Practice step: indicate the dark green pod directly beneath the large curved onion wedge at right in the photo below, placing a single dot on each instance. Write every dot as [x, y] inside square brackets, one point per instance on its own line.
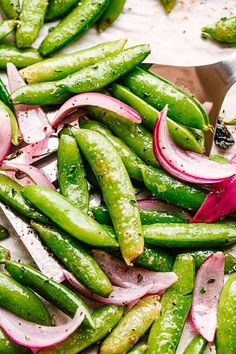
[167, 188]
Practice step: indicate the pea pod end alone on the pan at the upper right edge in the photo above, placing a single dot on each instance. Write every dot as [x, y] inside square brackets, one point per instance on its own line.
[223, 31]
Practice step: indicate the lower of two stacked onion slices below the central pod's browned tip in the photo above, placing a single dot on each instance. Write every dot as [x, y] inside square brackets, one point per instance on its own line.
[119, 296]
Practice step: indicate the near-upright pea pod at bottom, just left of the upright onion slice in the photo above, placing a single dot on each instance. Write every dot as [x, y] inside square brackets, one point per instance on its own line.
[166, 331]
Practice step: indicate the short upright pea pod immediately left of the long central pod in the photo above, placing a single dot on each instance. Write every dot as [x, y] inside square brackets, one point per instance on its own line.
[71, 173]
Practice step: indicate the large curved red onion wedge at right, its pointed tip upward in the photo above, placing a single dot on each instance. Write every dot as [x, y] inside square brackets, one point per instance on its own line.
[186, 165]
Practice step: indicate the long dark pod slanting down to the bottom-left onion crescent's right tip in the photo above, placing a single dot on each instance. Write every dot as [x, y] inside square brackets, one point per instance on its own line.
[56, 293]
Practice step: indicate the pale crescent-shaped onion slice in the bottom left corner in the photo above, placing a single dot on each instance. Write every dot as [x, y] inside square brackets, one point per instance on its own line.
[32, 335]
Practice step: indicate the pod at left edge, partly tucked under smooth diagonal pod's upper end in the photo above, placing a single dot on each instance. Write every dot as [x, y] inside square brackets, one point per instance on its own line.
[10, 194]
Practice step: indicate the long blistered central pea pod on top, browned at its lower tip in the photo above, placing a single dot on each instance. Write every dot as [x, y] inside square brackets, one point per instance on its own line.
[116, 188]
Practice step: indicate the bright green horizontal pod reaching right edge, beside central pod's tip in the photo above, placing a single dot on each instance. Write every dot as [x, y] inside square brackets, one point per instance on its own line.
[189, 235]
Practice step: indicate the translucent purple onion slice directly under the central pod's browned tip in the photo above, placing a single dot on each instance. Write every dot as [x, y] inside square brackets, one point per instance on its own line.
[132, 277]
